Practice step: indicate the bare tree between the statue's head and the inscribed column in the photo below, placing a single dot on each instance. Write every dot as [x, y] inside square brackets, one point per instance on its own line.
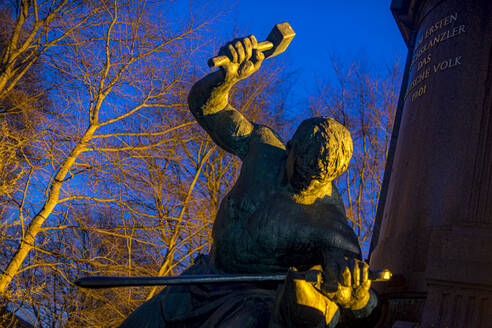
[365, 102]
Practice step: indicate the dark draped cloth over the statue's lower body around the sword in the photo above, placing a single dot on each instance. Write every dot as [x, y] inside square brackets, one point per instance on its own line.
[203, 306]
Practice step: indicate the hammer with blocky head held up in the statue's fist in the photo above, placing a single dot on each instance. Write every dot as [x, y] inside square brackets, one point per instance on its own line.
[277, 41]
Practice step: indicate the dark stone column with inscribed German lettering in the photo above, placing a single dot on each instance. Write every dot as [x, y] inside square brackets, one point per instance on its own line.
[436, 228]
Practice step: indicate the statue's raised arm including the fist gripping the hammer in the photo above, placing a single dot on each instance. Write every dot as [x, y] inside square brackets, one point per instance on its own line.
[209, 98]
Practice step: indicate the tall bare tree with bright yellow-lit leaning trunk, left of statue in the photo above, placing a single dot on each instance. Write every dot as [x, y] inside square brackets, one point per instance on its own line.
[109, 65]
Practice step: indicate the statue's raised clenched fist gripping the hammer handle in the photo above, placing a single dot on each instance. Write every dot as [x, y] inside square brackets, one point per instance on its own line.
[244, 58]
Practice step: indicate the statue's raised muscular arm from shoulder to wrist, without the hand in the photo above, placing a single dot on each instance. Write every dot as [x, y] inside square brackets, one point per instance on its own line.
[208, 101]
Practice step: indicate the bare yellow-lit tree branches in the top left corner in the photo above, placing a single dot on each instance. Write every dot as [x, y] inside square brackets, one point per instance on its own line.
[31, 29]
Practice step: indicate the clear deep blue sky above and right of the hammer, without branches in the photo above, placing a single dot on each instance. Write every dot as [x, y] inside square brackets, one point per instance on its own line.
[347, 30]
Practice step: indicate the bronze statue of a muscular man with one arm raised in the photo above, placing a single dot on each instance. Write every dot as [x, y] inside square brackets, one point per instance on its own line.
[282, 215]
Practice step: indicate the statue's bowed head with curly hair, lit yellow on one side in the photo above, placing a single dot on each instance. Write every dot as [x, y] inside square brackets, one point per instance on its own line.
[319, 151]
